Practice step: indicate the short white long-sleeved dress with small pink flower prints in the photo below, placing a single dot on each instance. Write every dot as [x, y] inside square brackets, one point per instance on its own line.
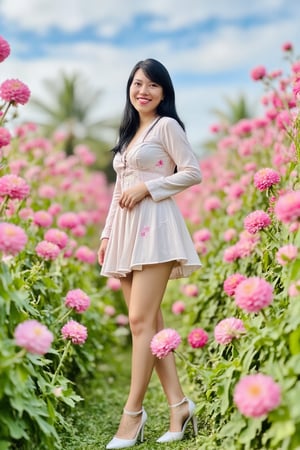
[154, 231]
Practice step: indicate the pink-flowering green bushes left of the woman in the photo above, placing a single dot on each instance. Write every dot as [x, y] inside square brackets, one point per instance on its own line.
[54, 328]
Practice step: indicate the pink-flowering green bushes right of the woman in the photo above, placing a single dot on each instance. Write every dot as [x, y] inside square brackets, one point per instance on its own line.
[248, 288]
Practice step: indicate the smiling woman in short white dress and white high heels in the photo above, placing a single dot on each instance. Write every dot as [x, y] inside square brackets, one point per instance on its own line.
[145, 241]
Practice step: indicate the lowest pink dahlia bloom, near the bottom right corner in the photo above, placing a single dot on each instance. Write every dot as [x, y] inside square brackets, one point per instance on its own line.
[256, 395]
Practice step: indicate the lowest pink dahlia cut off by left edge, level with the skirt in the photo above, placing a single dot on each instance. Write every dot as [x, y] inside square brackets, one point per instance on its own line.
[12, 238]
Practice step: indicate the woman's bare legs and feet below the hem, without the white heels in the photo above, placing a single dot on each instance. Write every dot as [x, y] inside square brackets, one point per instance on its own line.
[143, 327]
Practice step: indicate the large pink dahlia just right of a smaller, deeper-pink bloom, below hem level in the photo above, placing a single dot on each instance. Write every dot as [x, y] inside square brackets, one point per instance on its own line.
[253, 294]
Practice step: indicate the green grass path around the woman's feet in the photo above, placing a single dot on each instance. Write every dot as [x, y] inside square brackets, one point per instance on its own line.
[94, 421]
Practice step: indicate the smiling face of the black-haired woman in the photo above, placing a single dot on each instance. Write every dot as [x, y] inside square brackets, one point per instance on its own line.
[145, 95]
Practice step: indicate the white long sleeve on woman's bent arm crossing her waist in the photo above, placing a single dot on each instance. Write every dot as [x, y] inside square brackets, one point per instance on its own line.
[175, 143]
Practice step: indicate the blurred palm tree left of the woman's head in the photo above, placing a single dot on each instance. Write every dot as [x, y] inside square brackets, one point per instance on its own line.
[72, 110]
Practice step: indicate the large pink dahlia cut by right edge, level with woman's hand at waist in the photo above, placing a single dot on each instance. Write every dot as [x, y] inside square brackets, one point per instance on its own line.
[287, 207]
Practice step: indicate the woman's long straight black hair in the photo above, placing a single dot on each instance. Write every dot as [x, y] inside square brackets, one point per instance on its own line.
[156, 72]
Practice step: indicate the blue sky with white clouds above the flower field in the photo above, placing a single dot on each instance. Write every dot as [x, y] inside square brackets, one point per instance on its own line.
[208, 47]
